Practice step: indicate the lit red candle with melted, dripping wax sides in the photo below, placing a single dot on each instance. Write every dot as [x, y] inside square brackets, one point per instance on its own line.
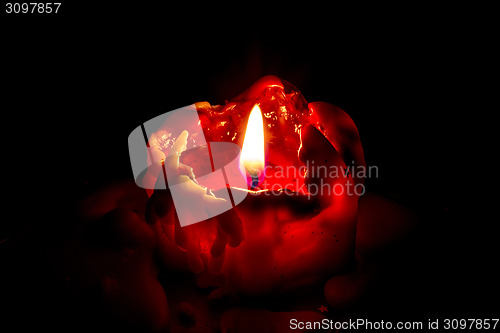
[298, 224]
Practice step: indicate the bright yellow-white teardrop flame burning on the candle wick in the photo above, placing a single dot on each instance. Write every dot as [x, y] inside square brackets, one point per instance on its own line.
[252, 159]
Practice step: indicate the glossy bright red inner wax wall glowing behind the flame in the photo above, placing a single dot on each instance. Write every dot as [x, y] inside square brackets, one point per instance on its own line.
[284, 112]
